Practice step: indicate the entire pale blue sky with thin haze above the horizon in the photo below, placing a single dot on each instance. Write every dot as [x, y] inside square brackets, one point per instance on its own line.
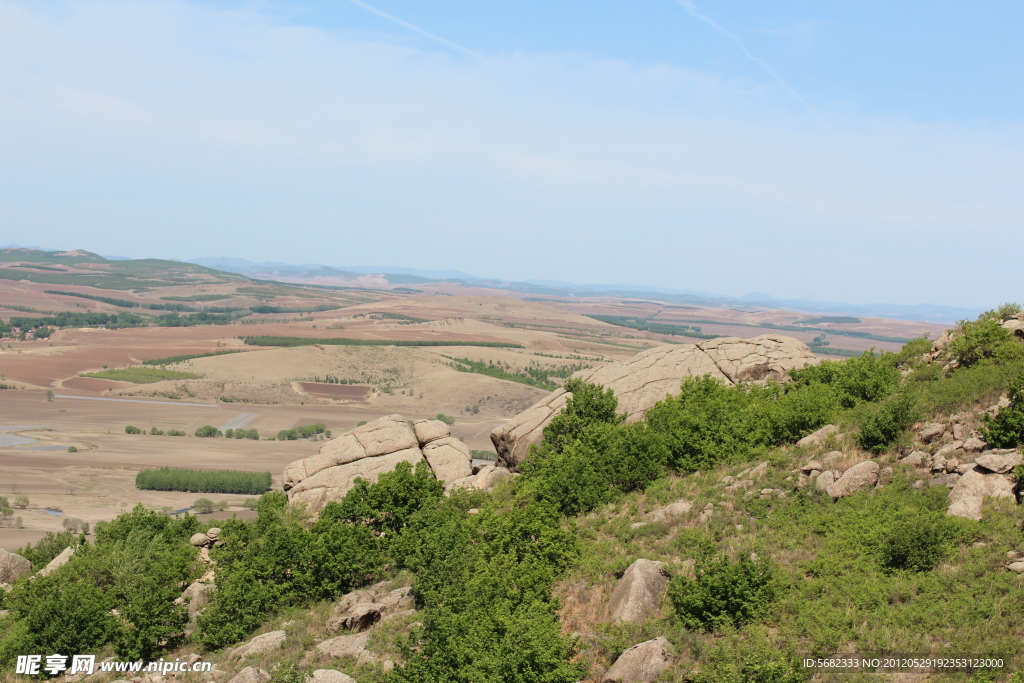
[860, 152]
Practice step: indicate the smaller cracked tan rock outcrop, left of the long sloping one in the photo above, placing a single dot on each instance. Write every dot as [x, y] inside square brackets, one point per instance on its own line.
[371, 450]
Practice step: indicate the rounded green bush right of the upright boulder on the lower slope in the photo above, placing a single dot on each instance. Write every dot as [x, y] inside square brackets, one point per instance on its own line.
[724, 593]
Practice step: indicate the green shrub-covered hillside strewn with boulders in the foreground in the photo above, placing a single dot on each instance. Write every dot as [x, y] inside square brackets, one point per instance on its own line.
[763, 547]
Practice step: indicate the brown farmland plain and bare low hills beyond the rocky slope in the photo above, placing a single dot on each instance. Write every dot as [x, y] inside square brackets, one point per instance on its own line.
[284, 388]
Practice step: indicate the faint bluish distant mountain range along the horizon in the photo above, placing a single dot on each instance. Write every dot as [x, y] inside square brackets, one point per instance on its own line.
[924, 313]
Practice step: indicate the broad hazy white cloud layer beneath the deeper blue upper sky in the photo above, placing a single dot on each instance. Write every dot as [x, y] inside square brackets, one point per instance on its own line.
[166, 130]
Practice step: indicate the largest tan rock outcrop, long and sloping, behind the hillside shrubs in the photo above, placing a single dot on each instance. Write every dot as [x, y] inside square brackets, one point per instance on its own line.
[652, 375]
